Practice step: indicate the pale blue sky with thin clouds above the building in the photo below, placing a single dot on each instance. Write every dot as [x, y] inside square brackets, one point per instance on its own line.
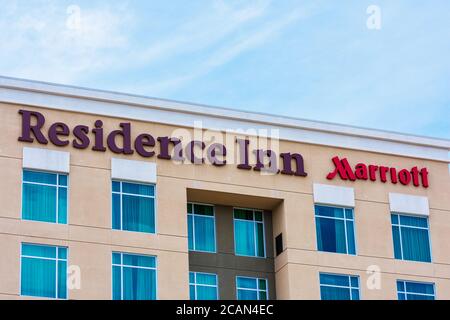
[377, 64]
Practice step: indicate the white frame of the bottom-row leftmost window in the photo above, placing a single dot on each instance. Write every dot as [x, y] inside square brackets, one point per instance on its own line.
[44, 258]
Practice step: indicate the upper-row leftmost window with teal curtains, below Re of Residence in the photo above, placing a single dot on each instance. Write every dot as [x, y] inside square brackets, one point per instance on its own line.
[44, 197]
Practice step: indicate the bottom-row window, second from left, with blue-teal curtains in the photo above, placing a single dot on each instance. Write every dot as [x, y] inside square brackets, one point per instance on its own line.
[134, 277]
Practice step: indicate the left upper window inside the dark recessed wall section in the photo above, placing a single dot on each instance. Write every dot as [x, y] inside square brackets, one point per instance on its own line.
[201, 227]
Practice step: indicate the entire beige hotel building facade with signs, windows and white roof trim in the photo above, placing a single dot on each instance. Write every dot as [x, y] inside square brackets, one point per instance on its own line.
[113, 196]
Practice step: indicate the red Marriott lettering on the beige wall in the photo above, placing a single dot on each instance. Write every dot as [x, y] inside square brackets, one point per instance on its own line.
[362, 171]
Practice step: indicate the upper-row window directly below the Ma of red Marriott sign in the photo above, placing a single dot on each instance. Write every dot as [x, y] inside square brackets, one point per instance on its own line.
[335, 230]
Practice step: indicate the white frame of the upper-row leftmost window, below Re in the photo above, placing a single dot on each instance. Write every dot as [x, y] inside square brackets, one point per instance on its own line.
[57, 186]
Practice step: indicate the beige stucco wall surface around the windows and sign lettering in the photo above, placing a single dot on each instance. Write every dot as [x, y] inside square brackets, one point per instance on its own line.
[91, 240]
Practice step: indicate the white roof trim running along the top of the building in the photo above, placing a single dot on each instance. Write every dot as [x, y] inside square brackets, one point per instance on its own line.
[135, 107]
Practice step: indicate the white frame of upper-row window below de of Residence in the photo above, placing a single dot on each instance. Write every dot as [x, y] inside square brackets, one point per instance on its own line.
[120, 193]
